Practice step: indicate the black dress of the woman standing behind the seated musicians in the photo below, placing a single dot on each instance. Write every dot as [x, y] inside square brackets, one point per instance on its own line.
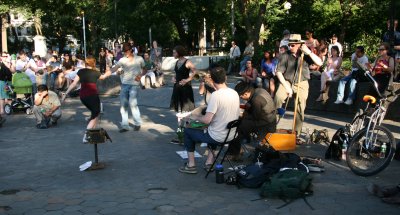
[182, 96]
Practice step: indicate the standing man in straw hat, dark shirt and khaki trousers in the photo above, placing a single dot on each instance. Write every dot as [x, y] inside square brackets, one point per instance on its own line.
[286, 72]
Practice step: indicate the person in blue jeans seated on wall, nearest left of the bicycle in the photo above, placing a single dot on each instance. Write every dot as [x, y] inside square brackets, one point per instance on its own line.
[357, 58]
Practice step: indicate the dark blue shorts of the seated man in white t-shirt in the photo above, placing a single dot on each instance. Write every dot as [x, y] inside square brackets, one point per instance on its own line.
[192, 136]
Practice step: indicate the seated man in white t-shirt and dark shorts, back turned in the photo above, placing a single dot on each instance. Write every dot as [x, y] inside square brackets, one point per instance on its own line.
[222, 108]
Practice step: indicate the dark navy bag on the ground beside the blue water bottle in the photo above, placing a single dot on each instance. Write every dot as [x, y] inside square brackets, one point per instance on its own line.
[253, 176]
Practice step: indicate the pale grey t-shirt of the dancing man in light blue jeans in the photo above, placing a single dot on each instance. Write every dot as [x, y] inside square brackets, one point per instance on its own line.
[131, 69]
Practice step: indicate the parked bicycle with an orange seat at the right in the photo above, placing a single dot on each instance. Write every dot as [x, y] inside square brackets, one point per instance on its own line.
[372, 145]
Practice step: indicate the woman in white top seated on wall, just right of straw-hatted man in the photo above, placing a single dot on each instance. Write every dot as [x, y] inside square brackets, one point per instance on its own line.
[331, 72]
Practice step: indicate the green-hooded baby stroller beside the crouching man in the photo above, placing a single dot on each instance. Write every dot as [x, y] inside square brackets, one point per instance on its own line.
[21, 93]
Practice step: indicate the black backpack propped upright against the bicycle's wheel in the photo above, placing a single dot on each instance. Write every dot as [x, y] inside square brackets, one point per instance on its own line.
[334, 150]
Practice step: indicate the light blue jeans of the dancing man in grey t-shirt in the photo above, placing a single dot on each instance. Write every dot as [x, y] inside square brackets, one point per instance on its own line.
[128, 100]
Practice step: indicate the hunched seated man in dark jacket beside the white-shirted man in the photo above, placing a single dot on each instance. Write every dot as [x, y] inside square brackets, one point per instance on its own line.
[259, 115]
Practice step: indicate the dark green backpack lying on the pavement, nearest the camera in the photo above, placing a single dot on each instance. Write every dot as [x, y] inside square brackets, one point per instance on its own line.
[289, 185]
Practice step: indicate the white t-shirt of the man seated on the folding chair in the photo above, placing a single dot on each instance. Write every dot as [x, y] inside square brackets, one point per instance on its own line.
[224, 104]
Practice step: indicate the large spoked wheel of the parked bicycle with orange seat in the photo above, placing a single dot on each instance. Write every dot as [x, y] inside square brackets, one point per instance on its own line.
[364, 155]
